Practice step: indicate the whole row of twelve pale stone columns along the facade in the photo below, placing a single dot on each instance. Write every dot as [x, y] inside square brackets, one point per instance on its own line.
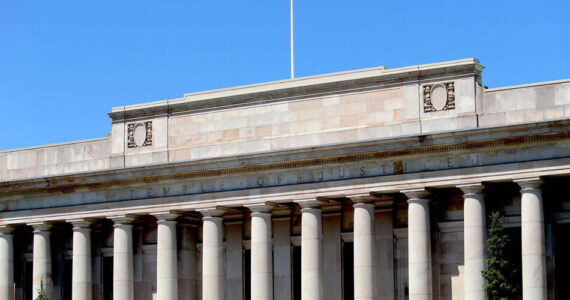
[213, 279]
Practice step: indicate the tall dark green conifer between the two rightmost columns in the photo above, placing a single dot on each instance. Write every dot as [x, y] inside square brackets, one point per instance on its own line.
[500, 272]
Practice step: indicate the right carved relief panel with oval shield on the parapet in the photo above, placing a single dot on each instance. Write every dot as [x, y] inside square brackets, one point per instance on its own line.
[439, 96]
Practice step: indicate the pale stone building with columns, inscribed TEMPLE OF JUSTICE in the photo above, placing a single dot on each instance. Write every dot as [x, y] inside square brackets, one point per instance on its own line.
[367, 184]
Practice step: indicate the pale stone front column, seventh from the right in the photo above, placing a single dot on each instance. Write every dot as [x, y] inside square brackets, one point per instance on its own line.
[213, 255]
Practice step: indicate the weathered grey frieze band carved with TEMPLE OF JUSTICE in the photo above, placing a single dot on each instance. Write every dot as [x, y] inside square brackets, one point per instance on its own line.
[354, 166]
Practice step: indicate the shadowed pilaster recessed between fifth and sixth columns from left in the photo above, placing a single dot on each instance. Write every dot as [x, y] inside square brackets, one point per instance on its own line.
[187, 260]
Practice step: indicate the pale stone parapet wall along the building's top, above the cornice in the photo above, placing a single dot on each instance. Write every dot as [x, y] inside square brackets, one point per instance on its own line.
[348, 107]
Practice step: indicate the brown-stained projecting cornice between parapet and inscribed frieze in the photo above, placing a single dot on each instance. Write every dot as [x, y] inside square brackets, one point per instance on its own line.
[176, 172]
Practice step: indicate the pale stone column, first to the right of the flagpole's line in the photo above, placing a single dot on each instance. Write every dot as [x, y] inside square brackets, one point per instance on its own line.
[311, 251]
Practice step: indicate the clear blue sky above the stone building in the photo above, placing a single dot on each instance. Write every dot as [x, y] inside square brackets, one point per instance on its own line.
[65, 64]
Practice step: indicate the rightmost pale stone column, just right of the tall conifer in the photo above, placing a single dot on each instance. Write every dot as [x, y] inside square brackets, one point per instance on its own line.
[533, 240]
